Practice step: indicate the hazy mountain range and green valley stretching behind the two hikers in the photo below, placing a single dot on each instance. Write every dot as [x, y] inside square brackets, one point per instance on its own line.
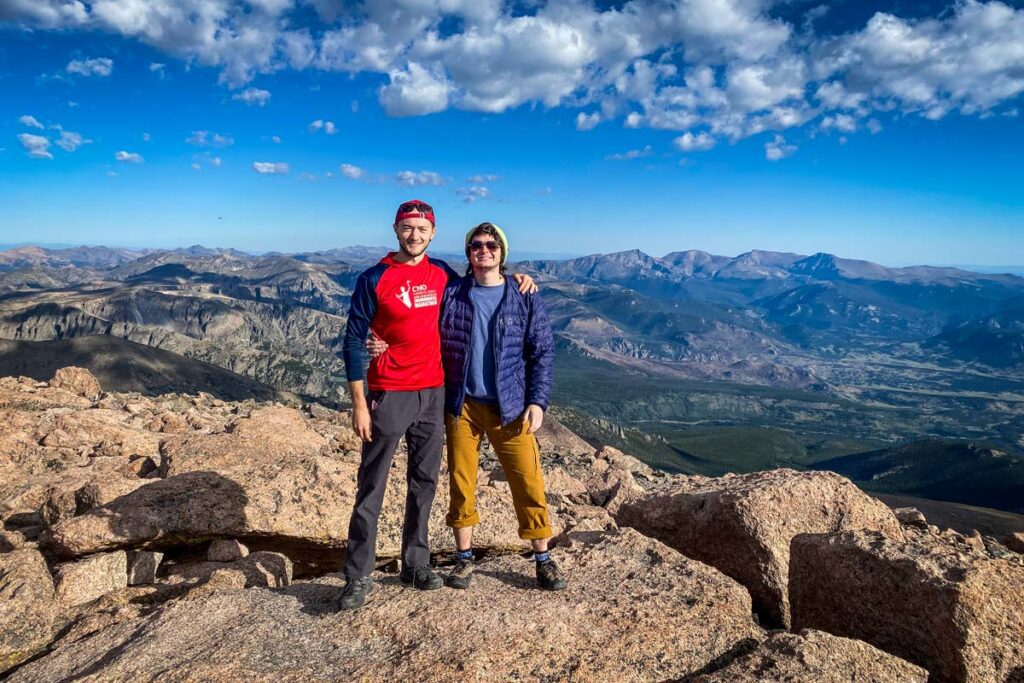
[700, 363]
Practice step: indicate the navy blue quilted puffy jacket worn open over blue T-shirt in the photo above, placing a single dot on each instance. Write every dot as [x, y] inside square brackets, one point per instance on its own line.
[525, 349]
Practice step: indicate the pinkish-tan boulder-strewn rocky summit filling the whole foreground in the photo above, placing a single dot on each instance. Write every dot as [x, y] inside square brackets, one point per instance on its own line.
[186, 538]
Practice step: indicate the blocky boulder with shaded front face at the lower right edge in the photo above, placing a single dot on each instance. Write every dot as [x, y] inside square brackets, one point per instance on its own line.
[945, 607]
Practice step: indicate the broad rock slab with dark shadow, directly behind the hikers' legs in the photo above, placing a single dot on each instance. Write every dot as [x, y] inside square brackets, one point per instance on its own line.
[237, 486]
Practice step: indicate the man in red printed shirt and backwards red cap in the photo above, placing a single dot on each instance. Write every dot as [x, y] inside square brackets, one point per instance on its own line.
[400, 301]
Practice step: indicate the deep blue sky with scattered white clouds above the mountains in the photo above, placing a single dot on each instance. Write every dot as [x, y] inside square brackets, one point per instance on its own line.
[888, 132]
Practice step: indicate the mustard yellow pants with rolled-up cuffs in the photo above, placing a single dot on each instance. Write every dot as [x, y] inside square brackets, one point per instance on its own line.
[520, 456]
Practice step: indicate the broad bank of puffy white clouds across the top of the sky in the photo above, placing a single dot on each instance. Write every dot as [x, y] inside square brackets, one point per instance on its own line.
[729, 67]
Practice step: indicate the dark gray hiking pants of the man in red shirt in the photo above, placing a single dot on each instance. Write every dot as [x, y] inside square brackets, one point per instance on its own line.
[420, 417]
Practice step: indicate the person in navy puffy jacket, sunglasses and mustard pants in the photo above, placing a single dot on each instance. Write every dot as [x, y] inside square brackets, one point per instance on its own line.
[498, 354]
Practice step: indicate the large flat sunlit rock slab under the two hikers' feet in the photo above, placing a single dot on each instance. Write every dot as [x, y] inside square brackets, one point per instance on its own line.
[635, 611]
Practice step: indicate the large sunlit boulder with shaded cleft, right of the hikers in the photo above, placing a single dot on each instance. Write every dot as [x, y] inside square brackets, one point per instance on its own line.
[744, 525]
